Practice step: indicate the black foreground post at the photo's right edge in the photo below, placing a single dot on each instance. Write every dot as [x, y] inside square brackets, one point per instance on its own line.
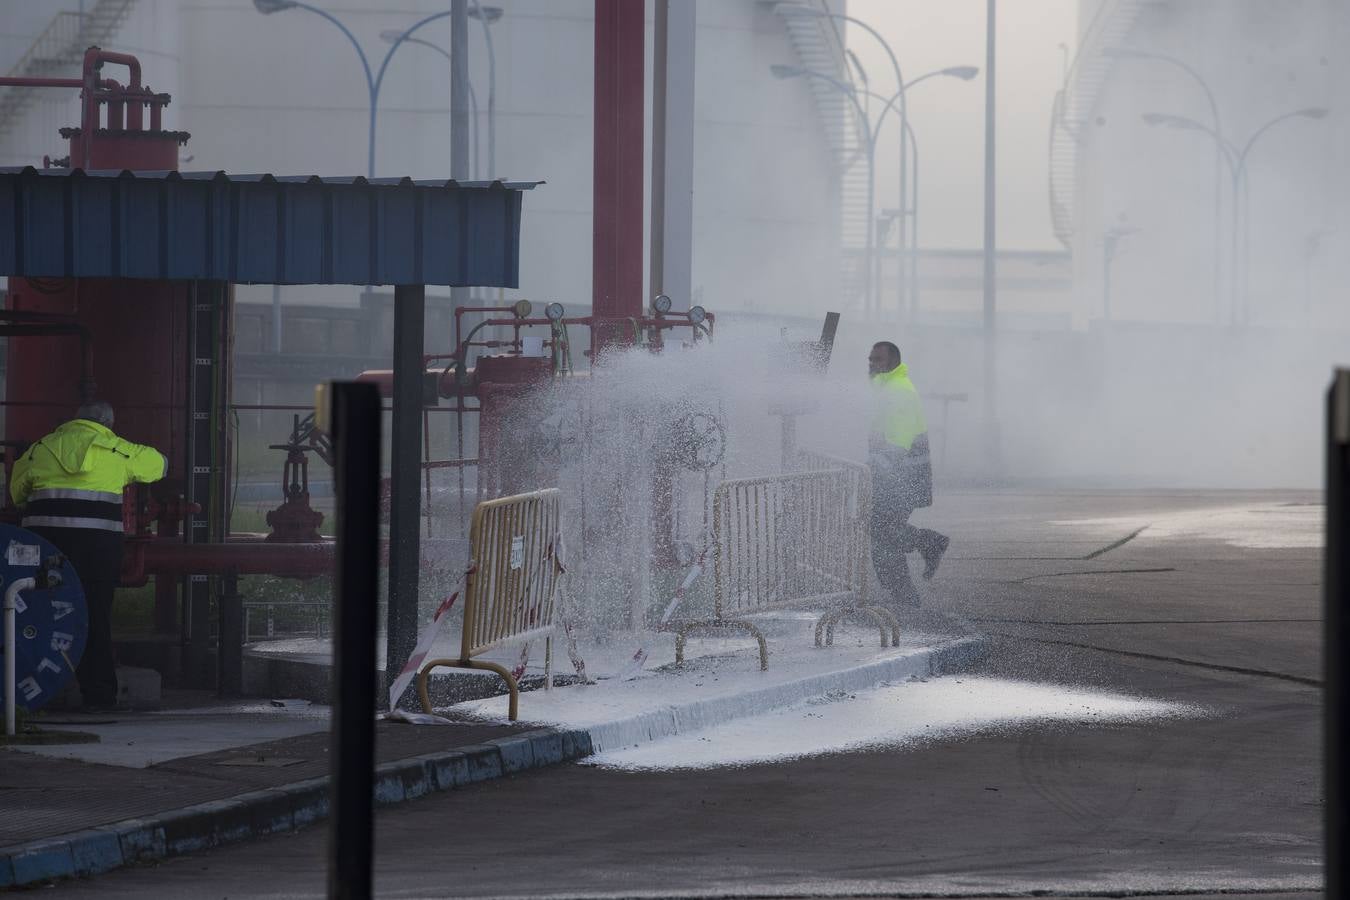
[1336, 632]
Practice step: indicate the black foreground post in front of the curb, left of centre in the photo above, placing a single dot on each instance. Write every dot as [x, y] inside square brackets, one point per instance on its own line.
[354, 427]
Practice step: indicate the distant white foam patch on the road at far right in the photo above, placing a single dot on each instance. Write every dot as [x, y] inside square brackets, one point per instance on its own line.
[1249, 527]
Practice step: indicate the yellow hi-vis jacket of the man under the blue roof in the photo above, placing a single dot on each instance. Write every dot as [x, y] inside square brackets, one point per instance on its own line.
[75, 477]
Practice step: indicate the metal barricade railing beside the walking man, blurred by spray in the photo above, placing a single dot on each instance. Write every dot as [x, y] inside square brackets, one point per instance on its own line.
[792, 540]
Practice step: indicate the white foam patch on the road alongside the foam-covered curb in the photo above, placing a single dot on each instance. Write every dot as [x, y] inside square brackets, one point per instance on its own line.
[888, 717]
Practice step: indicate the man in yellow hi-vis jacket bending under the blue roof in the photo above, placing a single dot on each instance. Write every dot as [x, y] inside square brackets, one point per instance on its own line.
[71, 486]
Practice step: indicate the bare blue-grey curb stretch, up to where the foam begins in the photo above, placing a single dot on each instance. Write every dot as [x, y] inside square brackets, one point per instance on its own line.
[275, 810]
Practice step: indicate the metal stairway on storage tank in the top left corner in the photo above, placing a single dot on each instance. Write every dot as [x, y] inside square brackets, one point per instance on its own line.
[59, 53]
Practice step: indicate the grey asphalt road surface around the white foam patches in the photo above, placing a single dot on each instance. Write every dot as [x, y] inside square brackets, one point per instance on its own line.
[1229, 802]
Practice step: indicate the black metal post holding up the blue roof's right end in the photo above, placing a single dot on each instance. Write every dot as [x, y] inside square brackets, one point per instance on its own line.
[406, 477]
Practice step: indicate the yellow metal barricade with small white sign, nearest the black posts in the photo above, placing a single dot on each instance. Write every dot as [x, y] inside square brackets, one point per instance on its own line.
[511, 589]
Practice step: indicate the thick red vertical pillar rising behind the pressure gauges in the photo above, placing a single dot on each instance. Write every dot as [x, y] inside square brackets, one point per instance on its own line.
[618, 231]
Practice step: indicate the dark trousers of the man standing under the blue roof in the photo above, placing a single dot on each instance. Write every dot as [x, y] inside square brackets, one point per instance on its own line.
[97, 557]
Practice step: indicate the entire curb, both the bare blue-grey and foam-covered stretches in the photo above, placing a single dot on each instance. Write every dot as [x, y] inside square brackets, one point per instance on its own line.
[296, 806]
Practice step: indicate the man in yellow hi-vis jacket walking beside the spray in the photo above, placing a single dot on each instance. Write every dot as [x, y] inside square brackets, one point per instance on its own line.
[902, 477]
